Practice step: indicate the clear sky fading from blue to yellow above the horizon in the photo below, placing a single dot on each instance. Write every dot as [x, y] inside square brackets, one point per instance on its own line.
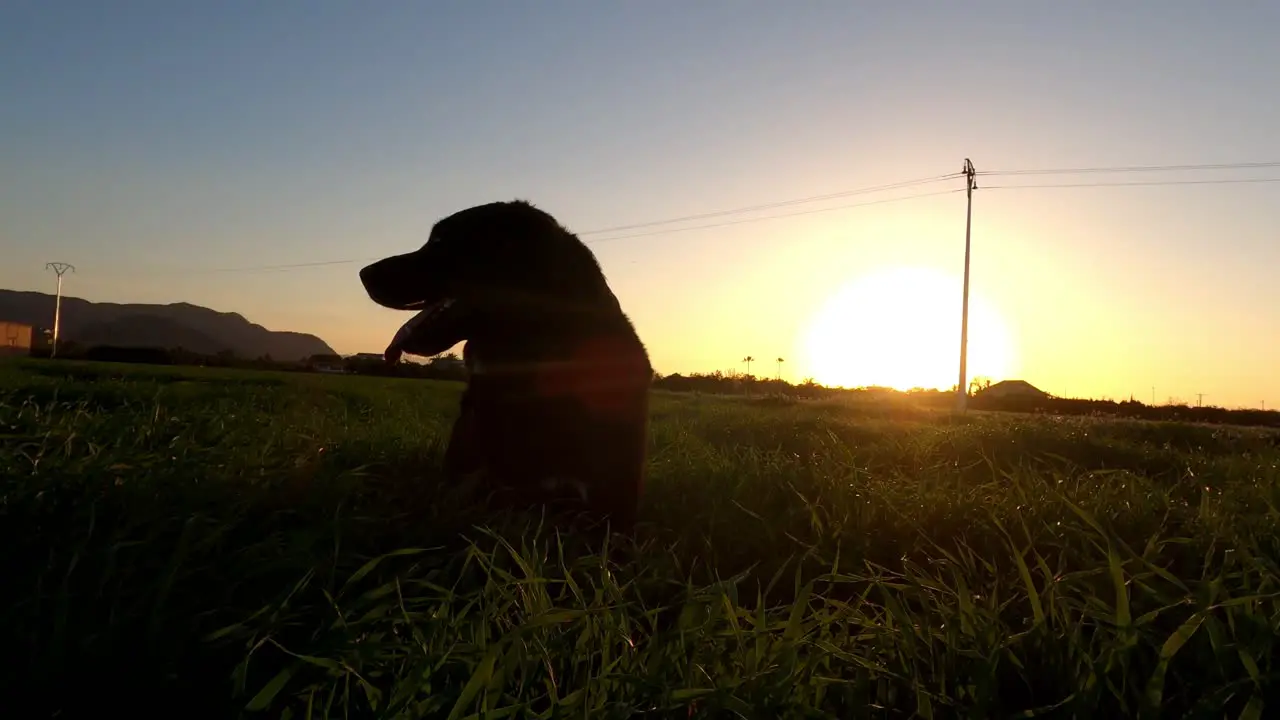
[152, 143]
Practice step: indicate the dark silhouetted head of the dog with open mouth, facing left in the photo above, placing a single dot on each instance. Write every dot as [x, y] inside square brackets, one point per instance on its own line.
[490, 261]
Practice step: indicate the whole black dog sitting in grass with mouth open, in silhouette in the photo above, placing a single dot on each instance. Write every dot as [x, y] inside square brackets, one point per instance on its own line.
[556, 405]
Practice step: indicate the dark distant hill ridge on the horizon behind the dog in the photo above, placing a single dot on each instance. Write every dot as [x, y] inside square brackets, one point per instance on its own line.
[181, 325]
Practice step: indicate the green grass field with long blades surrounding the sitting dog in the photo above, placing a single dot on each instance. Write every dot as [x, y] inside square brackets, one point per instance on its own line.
[216, 541]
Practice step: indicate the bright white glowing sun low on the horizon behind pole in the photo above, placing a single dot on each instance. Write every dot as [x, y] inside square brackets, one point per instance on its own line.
[900, 329]
